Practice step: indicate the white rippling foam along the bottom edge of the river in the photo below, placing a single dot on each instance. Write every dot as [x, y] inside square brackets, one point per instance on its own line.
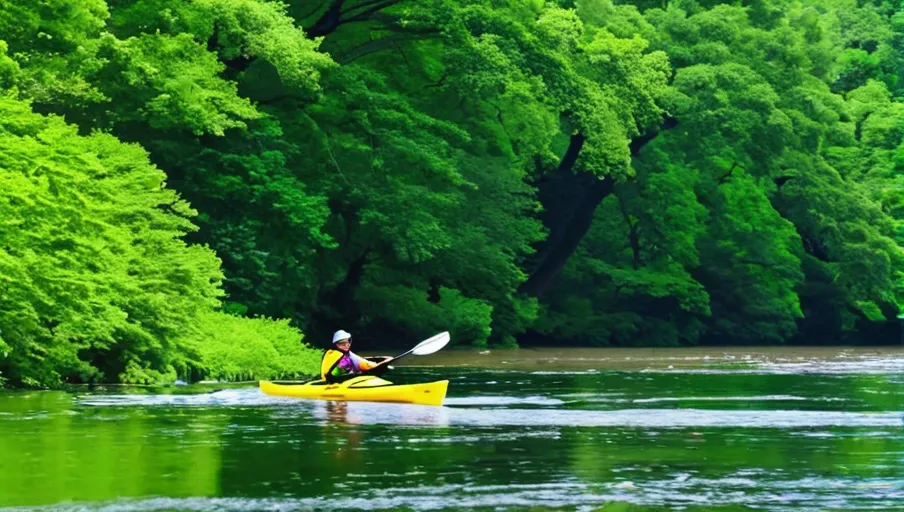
[676, 490]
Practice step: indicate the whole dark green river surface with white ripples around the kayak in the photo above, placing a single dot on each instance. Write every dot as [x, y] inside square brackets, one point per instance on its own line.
[589, 429]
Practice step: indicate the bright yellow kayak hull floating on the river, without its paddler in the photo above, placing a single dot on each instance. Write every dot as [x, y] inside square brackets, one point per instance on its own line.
[366, 388]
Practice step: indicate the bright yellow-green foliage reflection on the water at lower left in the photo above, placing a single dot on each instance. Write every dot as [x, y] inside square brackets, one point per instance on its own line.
[103, 453]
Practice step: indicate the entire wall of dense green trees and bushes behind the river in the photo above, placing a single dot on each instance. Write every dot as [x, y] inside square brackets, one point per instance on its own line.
[595, 172]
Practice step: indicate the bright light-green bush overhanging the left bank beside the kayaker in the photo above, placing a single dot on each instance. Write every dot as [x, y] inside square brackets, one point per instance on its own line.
[97, 283]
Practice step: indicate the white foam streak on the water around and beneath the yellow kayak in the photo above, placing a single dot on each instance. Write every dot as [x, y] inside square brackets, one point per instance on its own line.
[497, 411]
